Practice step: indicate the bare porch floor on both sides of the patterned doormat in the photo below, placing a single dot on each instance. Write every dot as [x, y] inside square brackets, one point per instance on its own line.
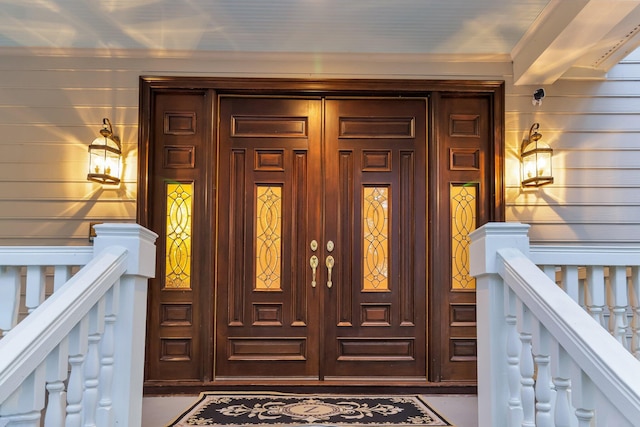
[460, 410]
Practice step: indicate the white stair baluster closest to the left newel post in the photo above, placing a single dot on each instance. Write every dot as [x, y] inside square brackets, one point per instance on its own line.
[104, 415]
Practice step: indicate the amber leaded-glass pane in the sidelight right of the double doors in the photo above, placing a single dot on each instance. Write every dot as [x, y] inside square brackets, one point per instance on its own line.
[463, 221]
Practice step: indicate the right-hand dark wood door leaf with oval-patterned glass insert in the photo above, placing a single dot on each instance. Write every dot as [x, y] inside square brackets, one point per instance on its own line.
[376, 211]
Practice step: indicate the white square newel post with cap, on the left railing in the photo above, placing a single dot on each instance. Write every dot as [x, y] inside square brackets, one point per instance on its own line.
[130, 323]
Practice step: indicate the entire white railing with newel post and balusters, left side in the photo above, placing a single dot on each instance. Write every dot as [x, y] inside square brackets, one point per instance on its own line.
[81, 350]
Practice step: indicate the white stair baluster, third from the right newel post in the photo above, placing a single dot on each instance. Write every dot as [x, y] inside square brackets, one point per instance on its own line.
[541, 345]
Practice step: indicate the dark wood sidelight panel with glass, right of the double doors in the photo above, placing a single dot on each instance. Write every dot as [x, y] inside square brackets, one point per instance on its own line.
[464, 180]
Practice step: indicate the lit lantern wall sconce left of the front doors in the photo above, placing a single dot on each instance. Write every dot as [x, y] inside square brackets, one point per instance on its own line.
[105, 153]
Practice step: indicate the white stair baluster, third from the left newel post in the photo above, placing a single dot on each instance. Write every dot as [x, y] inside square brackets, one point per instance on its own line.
[78, 342]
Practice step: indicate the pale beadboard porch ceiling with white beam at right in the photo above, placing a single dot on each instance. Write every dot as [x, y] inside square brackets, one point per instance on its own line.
[544, 39]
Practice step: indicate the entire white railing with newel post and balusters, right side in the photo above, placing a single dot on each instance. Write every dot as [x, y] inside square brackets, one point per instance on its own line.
[543, 360]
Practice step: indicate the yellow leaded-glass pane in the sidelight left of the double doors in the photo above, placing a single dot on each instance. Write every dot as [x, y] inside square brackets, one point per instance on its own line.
[178, 244]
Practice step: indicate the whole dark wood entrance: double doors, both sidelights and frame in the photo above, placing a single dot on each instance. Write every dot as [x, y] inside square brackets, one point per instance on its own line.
[315, 231]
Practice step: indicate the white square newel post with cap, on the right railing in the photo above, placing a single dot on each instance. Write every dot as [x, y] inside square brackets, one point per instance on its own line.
[493, 387]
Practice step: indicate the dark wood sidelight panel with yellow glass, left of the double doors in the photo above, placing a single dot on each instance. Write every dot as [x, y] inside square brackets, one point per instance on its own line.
[175, 349]
